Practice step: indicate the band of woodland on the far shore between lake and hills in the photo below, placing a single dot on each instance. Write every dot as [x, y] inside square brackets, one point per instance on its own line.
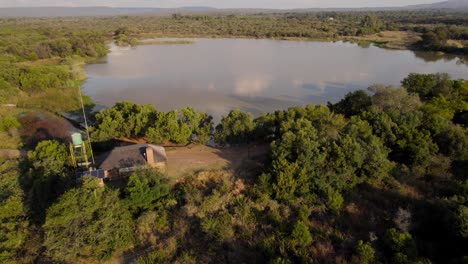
[40, 38]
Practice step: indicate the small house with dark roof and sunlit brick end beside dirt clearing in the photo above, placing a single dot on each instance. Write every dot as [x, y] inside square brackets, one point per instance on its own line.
[124, 160]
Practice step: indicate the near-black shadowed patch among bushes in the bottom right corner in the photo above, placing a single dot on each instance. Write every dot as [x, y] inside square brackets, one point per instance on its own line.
[370, 211]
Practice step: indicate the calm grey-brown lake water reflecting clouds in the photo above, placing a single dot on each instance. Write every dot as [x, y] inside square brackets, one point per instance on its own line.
[217, 75]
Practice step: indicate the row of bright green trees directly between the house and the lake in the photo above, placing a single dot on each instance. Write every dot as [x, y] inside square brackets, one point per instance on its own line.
[129, 120]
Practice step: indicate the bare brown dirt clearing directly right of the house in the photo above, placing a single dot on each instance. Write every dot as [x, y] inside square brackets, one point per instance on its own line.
[185, 160]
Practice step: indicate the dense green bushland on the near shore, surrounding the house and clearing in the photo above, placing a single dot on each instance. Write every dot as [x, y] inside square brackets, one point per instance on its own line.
[379, 177]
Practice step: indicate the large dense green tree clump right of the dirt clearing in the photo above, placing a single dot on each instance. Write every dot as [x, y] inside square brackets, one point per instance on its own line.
[303, 162]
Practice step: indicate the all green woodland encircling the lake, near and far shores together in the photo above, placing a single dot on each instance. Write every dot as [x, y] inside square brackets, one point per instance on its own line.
[378, 177]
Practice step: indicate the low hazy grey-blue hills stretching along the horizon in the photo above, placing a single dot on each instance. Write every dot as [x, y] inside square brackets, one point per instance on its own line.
[110, 11]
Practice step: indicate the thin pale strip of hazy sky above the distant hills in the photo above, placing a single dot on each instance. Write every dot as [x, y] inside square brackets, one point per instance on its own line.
[217, 3]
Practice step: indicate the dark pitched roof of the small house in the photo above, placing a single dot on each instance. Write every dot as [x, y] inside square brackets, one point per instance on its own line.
[130, 156]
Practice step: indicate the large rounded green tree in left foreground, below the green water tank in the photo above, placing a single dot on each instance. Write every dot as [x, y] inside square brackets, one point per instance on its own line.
[89, 221]
